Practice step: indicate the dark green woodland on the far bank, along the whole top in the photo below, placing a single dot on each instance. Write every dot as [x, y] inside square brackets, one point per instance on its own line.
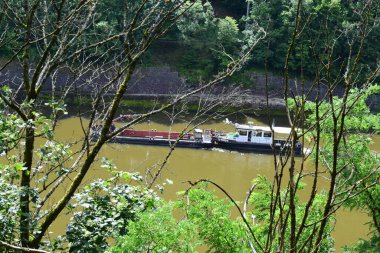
[201, 30]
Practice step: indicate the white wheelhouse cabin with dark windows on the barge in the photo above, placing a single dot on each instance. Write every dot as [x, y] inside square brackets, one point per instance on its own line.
[251, 134]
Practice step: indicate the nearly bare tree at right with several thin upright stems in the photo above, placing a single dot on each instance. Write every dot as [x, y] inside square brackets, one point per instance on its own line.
[321, 90]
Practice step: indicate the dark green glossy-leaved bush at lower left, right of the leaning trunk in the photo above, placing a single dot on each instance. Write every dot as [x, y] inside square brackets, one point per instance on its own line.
[107, 206]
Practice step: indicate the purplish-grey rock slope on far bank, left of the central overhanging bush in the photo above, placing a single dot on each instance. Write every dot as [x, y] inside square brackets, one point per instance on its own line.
[156, 80]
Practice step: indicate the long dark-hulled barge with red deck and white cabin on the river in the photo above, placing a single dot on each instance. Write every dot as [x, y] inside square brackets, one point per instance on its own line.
[246, 138]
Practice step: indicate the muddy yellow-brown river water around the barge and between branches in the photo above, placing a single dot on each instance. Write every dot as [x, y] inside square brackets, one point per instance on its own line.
[232, 170]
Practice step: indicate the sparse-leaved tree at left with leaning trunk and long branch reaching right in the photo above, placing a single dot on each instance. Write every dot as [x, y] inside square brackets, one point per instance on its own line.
[53, 40]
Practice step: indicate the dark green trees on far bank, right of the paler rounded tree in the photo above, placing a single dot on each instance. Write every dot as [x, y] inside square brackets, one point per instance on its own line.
[333, 23]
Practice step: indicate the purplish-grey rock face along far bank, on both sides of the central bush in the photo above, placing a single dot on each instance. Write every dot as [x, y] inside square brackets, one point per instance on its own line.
[164, 82]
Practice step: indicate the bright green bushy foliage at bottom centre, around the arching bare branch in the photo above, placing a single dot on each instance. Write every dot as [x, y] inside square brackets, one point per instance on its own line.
[204, 219]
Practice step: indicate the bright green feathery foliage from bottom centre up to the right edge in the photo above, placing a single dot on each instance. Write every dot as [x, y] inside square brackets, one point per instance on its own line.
[265, 226]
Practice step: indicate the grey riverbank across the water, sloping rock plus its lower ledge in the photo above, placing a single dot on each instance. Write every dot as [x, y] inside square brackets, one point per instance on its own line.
[151, 84]
